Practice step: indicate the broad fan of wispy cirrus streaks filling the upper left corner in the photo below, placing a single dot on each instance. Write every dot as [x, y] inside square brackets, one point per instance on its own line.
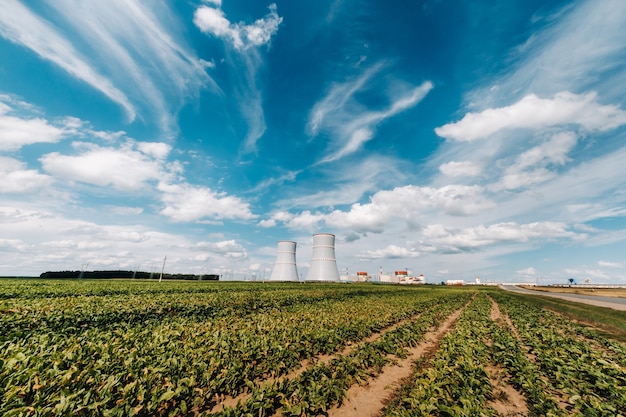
[129, 51]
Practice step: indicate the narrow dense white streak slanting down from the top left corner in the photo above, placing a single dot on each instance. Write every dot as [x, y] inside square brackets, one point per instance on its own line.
[19, 25]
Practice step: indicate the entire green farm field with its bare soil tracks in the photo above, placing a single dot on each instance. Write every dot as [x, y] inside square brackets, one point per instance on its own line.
[123, 348]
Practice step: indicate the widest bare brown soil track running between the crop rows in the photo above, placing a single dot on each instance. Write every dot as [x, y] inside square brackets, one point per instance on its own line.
[370, 399]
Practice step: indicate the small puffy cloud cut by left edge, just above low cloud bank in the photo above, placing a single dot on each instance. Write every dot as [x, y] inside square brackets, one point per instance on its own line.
[14, 178]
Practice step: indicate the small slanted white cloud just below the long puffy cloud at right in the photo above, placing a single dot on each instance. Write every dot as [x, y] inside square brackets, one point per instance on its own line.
[531, 167]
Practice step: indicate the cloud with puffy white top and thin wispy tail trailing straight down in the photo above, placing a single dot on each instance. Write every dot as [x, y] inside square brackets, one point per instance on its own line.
[244, 40]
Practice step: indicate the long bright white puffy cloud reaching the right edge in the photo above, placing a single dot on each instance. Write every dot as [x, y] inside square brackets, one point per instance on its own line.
[533, 112]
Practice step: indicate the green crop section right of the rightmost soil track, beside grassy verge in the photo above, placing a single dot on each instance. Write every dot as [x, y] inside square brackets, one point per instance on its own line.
[586, 370]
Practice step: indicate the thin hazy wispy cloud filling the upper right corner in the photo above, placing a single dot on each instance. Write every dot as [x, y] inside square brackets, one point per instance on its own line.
[583, 49]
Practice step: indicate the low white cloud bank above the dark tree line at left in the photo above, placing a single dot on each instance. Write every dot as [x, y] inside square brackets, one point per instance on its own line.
[42, 240]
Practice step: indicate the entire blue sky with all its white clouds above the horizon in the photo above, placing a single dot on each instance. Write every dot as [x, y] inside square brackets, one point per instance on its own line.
[453, 139]
